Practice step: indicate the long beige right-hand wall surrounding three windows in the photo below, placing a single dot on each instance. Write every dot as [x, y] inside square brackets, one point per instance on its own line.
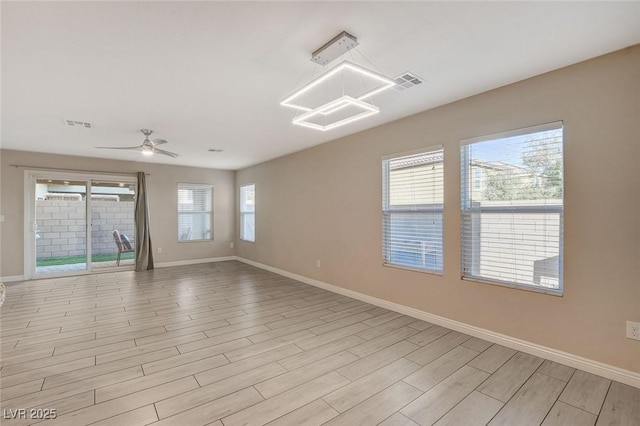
[324, 203]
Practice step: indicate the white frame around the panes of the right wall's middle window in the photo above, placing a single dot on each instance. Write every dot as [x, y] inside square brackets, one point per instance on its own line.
[386, 211]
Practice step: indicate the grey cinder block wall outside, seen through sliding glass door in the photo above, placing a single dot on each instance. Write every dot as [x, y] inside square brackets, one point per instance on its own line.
[62, 230]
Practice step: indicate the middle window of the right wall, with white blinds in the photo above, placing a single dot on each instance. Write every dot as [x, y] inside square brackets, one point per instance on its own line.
[412, 210]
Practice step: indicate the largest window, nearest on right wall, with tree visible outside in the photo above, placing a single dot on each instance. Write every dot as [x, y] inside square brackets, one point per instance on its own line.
[512, 224]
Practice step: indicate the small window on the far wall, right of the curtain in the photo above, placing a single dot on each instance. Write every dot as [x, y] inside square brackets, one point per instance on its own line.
[194, 212]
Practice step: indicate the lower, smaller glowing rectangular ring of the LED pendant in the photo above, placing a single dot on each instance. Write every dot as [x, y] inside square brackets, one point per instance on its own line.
[339, 112]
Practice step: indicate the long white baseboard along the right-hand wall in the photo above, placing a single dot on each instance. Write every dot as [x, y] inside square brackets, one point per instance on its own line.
[608, 371]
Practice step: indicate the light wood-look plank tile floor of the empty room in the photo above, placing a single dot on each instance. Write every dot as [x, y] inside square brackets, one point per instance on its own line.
[229, 344]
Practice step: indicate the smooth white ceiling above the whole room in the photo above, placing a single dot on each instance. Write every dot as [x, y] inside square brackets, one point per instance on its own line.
[211, 74]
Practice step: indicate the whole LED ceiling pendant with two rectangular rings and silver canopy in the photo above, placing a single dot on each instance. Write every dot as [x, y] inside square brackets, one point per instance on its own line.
[337, 97]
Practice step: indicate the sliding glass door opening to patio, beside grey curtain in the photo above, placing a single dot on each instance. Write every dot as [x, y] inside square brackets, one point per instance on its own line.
[78, 223]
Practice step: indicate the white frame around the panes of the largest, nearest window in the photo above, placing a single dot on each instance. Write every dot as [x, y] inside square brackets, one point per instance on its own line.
[467, 186]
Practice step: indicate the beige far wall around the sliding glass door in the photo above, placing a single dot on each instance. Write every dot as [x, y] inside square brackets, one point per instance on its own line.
[163, 205]
